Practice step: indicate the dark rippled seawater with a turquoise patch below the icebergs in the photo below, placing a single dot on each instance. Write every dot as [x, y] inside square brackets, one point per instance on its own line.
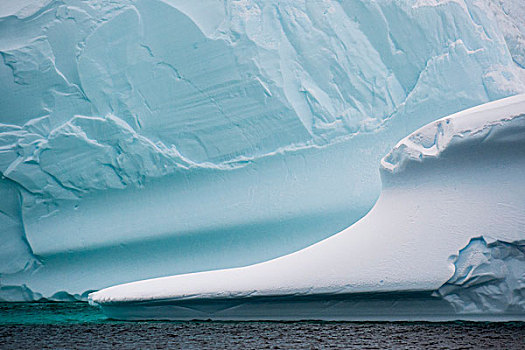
[79, 326]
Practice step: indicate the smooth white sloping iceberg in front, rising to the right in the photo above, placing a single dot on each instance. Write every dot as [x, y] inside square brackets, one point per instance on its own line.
[431, 248]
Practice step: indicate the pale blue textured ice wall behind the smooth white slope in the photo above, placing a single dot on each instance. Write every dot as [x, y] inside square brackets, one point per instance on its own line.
[141, 139]
